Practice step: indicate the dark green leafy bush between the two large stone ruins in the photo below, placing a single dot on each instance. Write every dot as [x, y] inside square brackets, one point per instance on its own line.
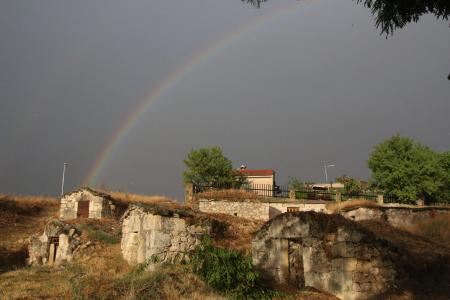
[228, 271]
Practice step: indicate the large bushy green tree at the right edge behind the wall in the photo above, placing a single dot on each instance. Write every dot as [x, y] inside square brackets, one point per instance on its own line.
[410, 170]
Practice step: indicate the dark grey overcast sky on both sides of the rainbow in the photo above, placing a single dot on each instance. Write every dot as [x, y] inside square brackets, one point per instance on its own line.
[318, 84]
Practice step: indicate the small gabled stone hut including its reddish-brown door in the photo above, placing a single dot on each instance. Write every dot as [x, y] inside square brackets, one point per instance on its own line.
[88, 203]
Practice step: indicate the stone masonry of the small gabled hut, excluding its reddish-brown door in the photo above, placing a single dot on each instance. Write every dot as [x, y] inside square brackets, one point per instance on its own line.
[100, 205]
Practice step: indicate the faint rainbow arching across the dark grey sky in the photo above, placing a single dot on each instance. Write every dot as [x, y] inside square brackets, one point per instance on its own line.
[133, 117]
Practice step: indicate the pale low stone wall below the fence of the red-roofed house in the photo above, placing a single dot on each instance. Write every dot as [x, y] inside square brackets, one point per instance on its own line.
[243, 209]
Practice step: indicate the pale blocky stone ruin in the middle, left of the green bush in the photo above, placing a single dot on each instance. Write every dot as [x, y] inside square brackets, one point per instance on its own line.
[160, 234]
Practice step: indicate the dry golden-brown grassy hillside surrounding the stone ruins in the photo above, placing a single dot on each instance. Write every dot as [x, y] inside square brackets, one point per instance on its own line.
[99, 271]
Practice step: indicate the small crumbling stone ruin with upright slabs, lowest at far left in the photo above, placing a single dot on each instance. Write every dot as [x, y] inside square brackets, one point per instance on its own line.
[56, 245]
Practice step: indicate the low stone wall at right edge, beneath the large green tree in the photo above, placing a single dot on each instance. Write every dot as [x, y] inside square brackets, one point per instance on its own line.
[395, 216]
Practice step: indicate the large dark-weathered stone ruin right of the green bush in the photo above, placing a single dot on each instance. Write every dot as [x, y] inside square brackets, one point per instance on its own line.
[326, 252]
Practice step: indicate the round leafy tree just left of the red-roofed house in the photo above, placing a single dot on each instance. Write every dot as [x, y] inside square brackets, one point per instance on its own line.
[208, 167]
